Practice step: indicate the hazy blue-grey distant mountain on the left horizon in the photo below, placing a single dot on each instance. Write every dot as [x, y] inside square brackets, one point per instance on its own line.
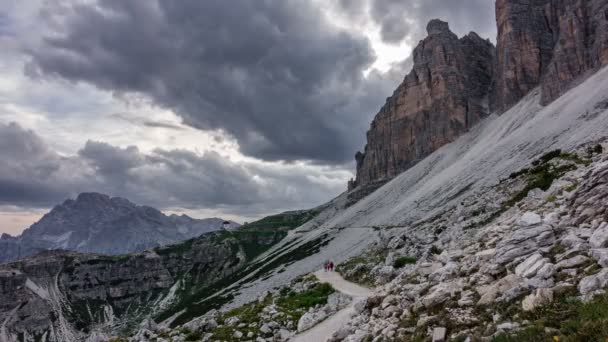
[97, 223]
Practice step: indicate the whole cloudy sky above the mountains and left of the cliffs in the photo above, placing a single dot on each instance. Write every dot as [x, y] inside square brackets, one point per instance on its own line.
[234, 109]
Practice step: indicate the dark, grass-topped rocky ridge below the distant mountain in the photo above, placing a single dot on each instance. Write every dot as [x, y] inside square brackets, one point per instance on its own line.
[67, 296]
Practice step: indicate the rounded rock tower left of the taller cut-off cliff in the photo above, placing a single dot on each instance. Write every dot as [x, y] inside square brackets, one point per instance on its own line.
[441, 98]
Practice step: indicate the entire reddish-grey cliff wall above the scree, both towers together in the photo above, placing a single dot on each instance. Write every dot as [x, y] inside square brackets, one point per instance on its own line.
[551, 44]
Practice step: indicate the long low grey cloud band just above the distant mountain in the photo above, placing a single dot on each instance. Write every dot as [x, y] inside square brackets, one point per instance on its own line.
[32, 175]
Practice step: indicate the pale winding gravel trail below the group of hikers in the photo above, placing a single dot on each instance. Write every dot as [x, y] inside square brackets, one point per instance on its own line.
[324, 330]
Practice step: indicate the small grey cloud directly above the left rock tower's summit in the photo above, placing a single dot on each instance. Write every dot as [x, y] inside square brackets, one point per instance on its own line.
[407, 19]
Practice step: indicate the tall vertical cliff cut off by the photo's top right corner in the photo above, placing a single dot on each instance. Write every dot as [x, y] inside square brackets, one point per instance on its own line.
[548, 44]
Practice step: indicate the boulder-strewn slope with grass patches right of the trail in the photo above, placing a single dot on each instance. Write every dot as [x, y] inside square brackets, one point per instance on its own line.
[527, 262]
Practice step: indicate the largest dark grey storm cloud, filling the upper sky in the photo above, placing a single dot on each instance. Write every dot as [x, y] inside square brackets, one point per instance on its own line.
[273, 74]
